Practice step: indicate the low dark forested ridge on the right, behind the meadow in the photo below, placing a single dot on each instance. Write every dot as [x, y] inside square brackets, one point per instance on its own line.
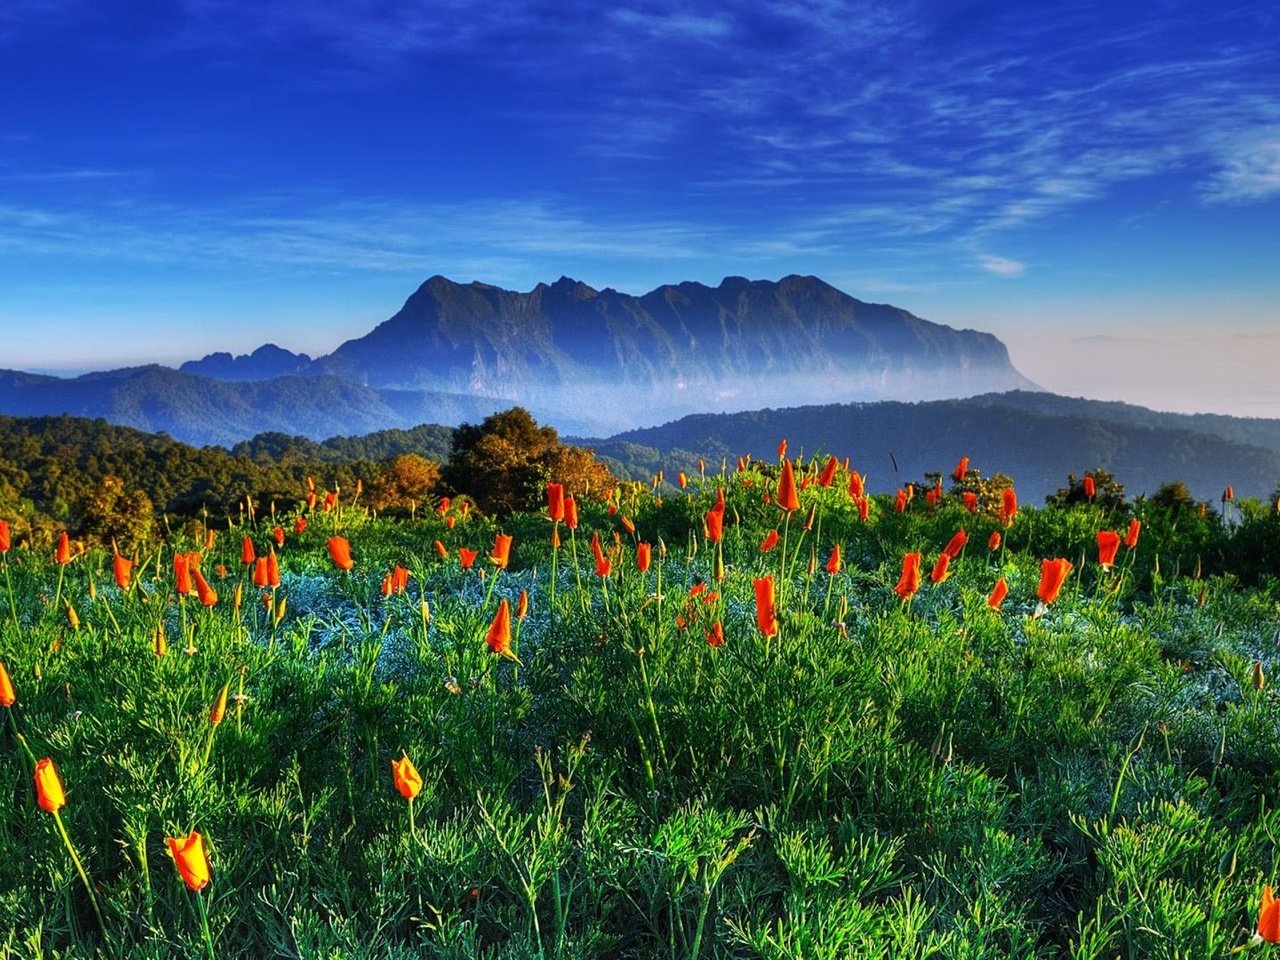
[894, 444]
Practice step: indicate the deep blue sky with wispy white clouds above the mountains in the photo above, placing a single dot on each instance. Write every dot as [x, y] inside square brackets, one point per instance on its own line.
[1096, 184]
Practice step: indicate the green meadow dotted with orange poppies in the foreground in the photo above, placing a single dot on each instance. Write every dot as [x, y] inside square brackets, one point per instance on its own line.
[710, 717]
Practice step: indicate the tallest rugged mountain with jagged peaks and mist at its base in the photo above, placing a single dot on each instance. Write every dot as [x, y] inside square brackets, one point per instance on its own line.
[570, 350]
